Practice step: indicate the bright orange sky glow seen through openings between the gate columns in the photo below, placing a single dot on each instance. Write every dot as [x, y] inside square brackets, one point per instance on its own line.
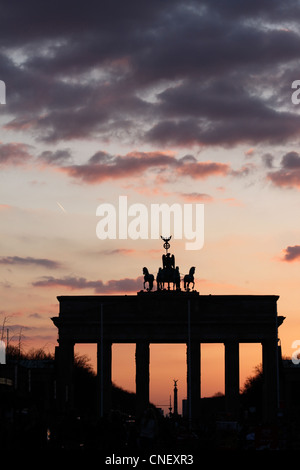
[168, 362]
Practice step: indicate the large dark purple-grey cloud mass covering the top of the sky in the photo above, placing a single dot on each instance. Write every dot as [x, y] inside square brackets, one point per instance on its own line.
[74, 72]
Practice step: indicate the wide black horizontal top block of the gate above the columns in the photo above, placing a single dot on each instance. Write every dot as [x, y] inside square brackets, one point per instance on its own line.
[167, 317]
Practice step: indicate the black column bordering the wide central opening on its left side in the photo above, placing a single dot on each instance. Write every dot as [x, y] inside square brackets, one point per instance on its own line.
[142, 360]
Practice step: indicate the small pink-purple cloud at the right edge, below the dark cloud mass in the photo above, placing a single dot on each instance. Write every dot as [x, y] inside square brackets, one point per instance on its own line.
[288, 176]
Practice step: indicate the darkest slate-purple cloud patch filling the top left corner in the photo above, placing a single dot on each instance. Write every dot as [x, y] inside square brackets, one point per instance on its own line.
[53, 20]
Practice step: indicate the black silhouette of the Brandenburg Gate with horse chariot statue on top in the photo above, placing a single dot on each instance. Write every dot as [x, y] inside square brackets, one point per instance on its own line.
[169, 315]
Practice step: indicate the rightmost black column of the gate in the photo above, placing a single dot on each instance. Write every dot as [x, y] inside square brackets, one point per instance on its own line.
[270, 381]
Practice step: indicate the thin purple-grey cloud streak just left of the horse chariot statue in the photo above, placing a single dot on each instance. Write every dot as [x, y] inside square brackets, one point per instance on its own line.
[75, 283]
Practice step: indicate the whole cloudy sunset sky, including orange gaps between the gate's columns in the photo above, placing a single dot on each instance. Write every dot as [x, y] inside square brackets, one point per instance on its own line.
[172, 101]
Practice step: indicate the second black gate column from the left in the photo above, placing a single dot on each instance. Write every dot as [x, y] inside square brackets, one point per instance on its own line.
[104, 356]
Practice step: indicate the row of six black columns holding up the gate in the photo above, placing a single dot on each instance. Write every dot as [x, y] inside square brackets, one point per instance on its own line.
[142, 359]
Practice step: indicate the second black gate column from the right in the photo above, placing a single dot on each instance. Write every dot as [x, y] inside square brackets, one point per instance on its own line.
[232, 378]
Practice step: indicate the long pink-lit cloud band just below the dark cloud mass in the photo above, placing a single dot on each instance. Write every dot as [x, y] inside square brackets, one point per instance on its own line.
[103, 166]
